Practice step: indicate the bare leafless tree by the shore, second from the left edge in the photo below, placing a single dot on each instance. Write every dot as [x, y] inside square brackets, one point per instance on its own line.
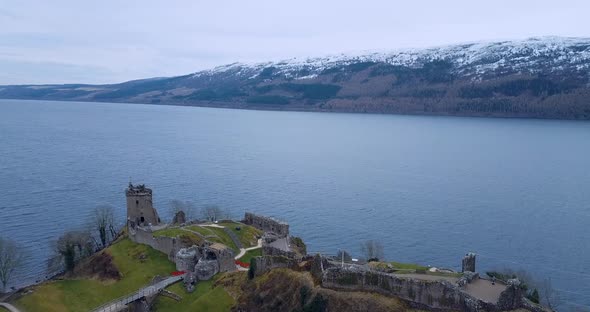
[73, 246]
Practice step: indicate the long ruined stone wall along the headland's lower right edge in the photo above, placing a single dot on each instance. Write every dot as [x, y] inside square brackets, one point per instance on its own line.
[432, 294]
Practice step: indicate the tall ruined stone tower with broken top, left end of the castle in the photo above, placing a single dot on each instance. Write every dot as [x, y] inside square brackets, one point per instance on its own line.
[140, 210]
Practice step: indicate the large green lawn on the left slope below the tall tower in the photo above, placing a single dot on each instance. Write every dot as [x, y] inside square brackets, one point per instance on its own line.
[86, 294]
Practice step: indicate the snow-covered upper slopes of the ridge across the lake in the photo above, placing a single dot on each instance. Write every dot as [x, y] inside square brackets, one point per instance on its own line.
[531, 55]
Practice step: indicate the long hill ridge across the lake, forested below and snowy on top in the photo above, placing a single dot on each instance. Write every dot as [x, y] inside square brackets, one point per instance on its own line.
[539, 77]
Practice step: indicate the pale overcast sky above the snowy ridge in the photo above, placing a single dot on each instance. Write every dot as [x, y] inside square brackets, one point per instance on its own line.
[109, 41]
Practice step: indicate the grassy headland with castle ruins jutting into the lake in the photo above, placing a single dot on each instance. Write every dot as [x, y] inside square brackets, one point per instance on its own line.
[254, 264]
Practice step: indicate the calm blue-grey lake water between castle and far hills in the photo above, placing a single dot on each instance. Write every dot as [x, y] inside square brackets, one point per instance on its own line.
[516, 192]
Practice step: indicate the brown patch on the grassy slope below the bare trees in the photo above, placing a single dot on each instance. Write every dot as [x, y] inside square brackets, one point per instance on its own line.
[100, 266]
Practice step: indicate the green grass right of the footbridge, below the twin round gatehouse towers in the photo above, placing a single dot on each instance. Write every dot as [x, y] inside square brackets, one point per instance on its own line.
[206, 297]
